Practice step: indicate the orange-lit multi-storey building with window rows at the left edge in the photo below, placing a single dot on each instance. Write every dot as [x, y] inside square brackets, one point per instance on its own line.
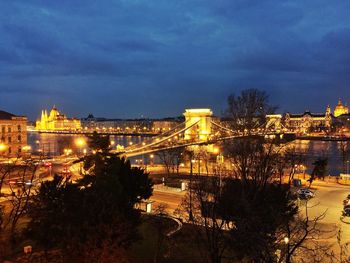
[13, 135]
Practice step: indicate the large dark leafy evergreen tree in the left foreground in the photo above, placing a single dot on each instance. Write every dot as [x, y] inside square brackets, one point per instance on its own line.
[93, 220]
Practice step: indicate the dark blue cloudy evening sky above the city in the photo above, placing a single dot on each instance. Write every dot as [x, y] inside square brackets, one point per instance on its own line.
[127, 58]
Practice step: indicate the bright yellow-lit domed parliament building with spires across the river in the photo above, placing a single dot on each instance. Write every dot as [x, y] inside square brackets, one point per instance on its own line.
[57, 121]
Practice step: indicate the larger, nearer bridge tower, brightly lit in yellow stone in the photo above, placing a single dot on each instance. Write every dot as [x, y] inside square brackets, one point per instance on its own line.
[198, 122]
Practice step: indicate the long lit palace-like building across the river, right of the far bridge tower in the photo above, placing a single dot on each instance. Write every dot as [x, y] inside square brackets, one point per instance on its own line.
[308, 122]
